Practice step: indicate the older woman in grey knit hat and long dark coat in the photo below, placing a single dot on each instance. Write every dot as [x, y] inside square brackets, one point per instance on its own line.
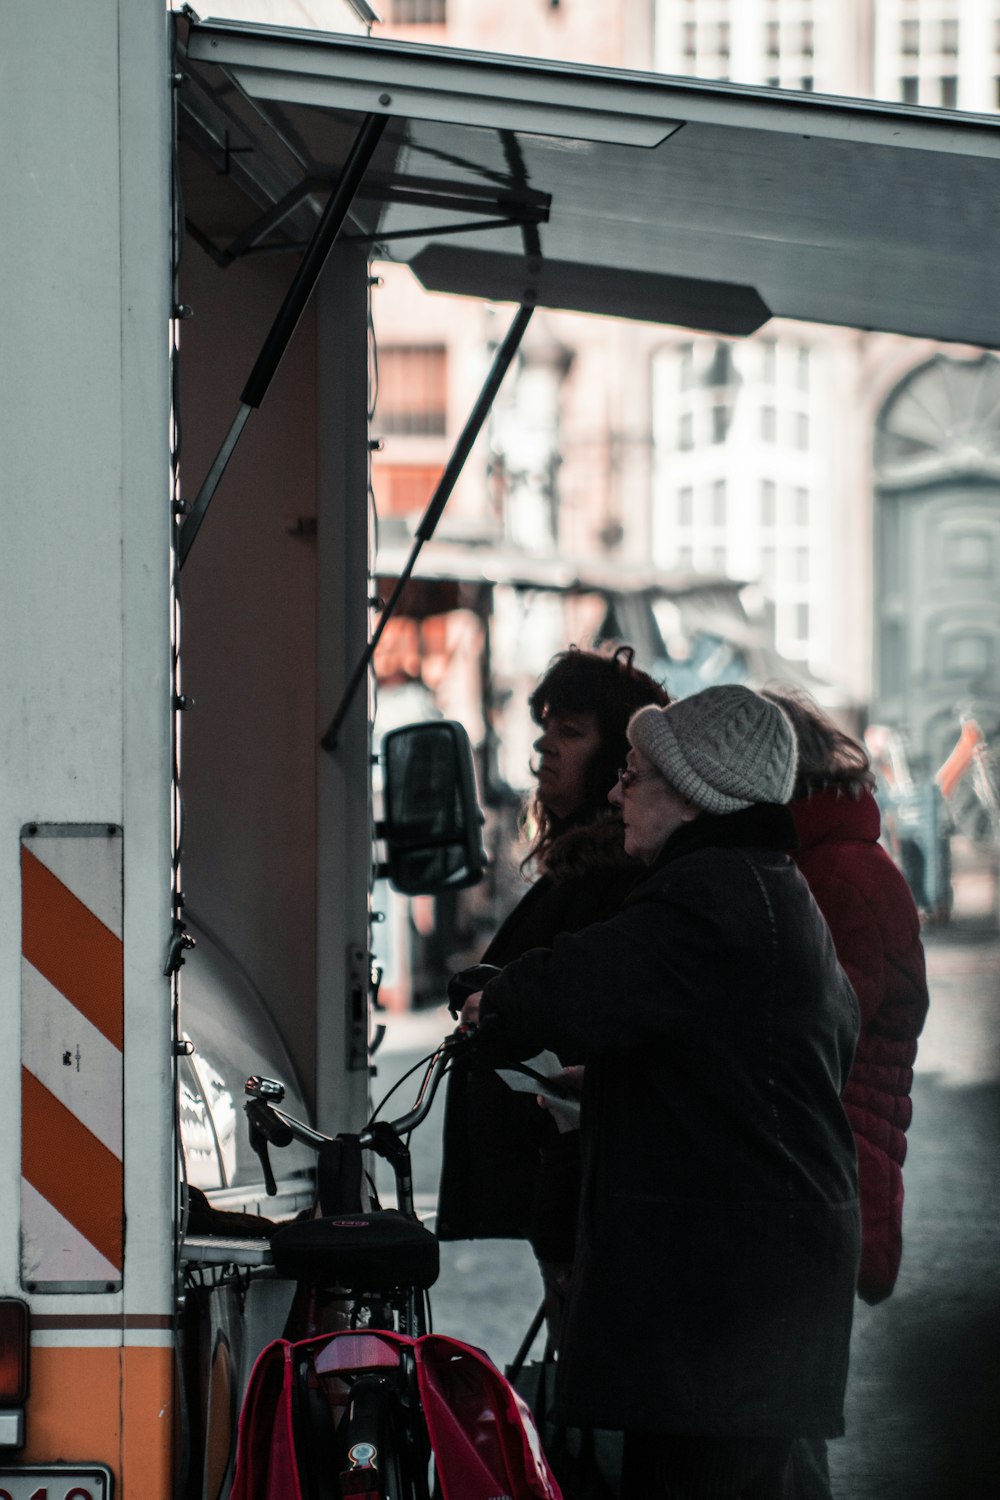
[713, 1292]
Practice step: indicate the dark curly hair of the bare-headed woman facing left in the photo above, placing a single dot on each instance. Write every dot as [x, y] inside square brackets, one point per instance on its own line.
[611, 688]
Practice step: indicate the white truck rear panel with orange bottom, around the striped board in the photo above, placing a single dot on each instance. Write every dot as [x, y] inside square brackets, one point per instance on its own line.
[85, 671]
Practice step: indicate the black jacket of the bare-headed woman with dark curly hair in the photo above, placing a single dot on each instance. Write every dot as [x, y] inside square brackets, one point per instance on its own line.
[494, 1181]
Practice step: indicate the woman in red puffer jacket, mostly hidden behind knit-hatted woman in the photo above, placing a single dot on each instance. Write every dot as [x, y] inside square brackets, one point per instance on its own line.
[876, 932]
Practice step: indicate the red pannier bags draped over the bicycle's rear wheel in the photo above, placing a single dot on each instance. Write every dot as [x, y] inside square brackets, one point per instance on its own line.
[482, 1435]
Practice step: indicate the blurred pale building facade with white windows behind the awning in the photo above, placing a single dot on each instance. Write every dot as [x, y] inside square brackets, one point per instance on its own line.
[848, 478]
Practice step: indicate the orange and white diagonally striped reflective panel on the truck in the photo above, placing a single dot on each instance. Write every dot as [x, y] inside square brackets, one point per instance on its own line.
[73, 1021]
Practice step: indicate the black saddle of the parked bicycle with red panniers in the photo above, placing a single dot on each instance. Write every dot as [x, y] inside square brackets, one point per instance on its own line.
[361, 1252]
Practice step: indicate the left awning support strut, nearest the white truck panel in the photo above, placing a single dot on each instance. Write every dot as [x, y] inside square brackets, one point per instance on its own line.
[289, 316]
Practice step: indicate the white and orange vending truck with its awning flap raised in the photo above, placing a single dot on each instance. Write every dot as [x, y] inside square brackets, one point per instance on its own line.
[187, 590]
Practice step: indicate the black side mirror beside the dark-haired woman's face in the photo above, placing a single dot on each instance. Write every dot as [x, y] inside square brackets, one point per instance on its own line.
[433, 824]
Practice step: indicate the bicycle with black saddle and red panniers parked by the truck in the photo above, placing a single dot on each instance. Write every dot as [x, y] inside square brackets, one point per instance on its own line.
[377, 1409]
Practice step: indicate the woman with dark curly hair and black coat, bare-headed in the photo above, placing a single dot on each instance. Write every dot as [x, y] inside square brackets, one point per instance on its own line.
[507, 1174]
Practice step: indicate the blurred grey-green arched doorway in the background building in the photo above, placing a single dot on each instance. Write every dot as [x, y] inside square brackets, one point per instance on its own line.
[938, 554]
